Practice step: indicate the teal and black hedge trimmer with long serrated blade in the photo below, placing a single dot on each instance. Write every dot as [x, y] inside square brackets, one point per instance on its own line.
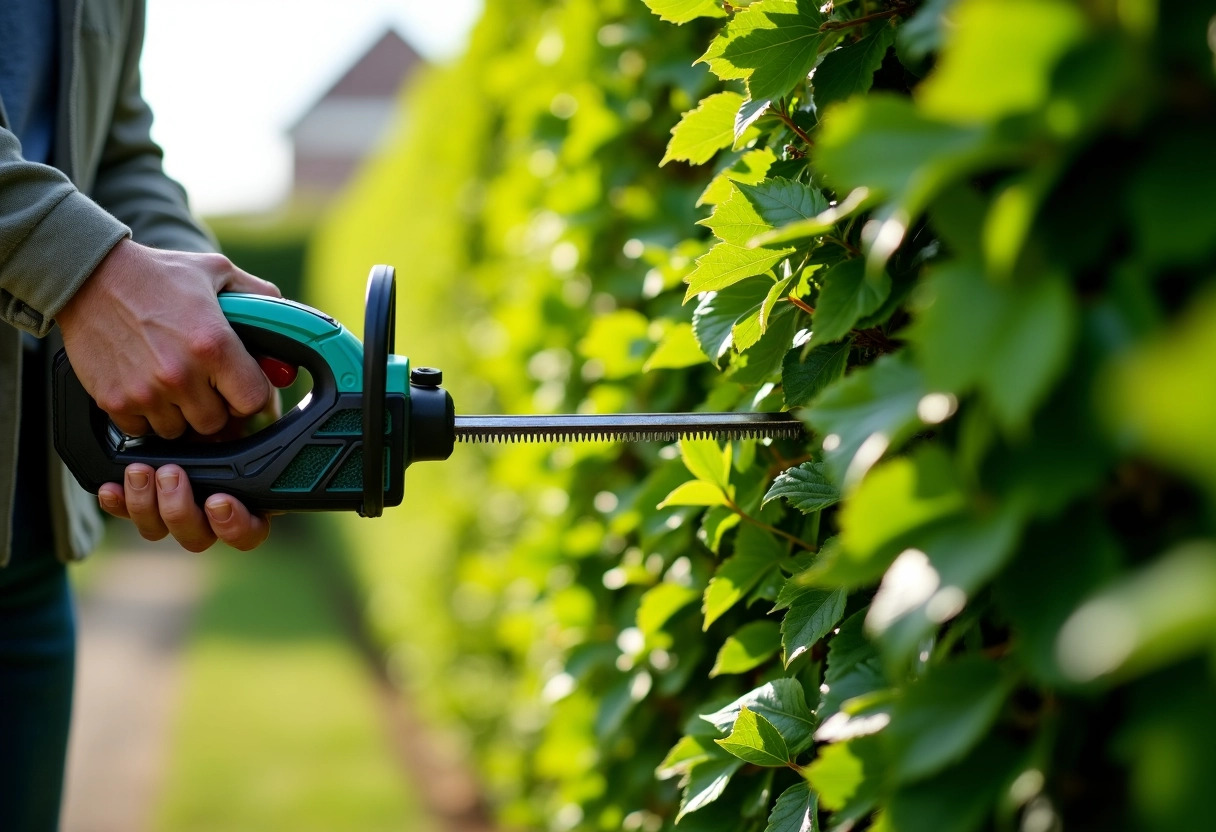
[365, 403]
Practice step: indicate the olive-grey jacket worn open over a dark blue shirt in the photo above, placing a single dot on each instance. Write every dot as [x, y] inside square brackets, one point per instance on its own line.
[58, 223]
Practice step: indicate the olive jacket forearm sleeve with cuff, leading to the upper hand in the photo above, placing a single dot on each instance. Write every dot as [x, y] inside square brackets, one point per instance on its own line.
[52, 239]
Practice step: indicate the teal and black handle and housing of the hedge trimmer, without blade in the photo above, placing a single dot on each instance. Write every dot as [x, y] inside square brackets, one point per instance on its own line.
[309, 460]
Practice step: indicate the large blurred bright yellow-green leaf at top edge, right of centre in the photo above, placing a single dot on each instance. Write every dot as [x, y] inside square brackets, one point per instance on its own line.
[1000, 59]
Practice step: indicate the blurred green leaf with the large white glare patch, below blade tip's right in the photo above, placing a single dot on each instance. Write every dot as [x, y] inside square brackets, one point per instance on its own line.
[931, 583]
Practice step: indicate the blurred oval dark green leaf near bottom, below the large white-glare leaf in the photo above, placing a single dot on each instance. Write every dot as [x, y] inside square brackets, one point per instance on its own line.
[944, 716]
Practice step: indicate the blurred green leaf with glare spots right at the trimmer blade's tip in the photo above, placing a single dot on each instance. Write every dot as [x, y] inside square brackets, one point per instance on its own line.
[875, 408]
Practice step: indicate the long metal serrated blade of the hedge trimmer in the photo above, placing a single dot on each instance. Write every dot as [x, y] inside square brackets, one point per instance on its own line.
[627, 428]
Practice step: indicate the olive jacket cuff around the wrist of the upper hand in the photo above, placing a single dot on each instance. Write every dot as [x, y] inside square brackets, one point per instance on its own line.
[57, 258]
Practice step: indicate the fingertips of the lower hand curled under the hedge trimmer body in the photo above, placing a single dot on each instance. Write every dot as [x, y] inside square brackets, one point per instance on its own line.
[161, 502]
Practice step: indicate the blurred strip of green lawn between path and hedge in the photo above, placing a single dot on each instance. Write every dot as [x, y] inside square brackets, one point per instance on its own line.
[279, 726]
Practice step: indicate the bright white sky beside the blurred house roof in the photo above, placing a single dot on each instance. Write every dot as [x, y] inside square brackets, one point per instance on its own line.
[227, 78]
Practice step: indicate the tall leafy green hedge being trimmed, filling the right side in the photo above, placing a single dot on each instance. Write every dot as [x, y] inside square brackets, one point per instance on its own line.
[971, 244]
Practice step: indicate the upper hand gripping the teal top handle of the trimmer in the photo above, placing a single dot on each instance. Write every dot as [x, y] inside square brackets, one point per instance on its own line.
[149, 342]
